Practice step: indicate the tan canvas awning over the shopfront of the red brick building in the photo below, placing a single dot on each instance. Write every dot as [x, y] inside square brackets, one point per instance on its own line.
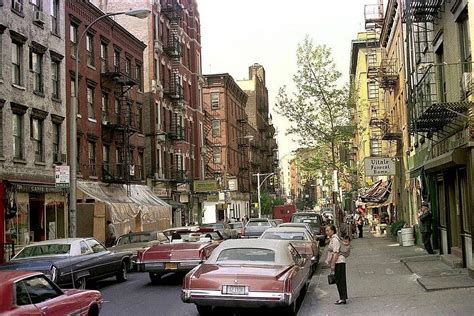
[122, 207]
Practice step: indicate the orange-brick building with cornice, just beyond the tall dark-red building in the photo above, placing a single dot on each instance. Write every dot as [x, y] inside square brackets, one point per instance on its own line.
[227, 143]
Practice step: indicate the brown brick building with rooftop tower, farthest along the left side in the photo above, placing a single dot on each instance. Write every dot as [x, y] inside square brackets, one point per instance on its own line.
[264, 149]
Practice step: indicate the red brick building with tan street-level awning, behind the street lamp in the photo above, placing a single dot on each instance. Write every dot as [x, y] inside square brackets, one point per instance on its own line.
[110, 126]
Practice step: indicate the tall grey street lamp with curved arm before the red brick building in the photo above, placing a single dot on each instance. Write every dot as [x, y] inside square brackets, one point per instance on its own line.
[137, 13]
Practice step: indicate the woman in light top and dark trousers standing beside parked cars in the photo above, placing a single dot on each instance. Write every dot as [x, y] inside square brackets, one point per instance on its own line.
[337, 262]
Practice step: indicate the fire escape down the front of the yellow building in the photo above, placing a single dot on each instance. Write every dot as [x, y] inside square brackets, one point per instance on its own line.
[373, 25]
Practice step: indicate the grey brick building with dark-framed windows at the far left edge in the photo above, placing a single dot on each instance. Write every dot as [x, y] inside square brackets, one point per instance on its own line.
[32, 126]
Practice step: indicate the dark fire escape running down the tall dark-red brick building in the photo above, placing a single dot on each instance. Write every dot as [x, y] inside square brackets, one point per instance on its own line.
[174, 88]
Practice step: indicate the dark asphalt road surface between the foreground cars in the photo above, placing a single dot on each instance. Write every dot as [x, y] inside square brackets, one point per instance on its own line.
[139, 297]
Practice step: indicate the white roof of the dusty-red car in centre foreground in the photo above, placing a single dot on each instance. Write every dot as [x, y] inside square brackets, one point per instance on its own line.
[280, 247]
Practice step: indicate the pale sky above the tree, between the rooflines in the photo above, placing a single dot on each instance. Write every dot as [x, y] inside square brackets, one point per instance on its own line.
[237, 33]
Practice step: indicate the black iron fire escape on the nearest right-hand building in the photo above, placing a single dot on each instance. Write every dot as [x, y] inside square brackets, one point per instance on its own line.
[439, 91]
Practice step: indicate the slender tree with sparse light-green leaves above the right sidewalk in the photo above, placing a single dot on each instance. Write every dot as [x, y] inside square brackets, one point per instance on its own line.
[319, 110]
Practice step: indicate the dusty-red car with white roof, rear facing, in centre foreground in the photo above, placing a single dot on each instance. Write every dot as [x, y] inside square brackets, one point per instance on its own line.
[248, 273]
